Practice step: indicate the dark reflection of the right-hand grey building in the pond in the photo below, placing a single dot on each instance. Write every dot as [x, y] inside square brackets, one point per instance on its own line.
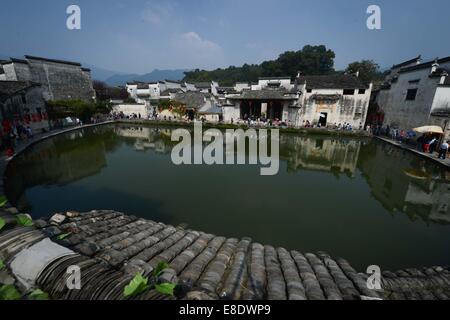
[403, 182]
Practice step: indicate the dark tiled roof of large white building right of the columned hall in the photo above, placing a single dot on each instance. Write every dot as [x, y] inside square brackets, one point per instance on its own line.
[341, 81]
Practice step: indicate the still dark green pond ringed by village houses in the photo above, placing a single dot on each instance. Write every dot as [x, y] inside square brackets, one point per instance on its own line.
[360, 199]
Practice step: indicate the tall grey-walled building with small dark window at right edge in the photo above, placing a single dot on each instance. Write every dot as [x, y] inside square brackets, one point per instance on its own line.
[416, 94]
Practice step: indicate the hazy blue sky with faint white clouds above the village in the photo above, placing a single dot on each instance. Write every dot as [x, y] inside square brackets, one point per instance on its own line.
[141, 35]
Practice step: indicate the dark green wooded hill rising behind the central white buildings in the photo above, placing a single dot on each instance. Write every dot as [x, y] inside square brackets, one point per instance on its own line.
[311, 60]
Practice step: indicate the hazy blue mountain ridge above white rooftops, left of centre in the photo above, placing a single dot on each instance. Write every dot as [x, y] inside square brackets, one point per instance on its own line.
[155, 75]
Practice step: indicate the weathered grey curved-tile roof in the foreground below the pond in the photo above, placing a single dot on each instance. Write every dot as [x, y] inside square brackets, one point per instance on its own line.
[111, 247]
